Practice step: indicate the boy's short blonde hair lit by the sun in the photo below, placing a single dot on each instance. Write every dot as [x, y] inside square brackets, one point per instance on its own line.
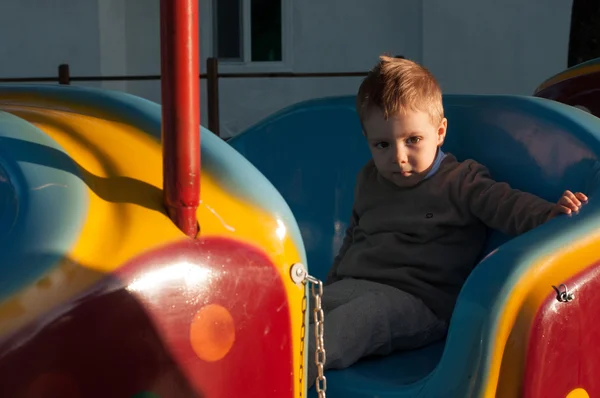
[397, 85]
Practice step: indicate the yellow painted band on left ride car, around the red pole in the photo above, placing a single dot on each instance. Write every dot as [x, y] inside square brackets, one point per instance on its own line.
[122, 167]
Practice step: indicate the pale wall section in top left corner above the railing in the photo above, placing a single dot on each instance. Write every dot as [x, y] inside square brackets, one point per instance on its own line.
[39, 35]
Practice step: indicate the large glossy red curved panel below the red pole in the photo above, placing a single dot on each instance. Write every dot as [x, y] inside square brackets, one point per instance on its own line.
[131, 332]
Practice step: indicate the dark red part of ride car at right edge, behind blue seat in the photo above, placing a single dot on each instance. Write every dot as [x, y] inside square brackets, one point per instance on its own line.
[583, 90]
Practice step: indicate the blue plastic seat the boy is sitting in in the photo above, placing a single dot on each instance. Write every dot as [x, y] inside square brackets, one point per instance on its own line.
[312, 151]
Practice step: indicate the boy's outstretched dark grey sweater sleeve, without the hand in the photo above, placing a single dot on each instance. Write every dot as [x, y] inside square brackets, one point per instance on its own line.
[499, 206]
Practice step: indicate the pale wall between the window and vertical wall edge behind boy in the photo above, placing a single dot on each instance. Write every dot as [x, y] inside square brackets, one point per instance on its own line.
[327, 36]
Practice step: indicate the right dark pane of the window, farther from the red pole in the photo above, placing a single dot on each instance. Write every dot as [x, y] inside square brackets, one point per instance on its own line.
[266, 30]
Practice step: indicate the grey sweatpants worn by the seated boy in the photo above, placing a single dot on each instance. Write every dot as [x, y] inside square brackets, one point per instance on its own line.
[364, 318]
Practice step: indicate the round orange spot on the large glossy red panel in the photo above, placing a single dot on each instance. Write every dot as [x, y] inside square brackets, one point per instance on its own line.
[212, 332]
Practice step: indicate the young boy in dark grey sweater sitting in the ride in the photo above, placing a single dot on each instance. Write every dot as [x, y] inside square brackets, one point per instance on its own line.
[418, 223]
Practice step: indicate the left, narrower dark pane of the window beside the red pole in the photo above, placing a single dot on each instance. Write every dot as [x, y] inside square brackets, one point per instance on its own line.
[228, 29]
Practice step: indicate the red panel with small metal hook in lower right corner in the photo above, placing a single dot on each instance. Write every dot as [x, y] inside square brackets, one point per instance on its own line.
[564, 350]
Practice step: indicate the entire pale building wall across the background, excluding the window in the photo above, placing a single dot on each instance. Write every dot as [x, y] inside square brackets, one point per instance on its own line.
[473, 46]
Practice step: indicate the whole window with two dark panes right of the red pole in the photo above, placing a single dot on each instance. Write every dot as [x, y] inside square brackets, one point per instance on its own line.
[247, 31]
